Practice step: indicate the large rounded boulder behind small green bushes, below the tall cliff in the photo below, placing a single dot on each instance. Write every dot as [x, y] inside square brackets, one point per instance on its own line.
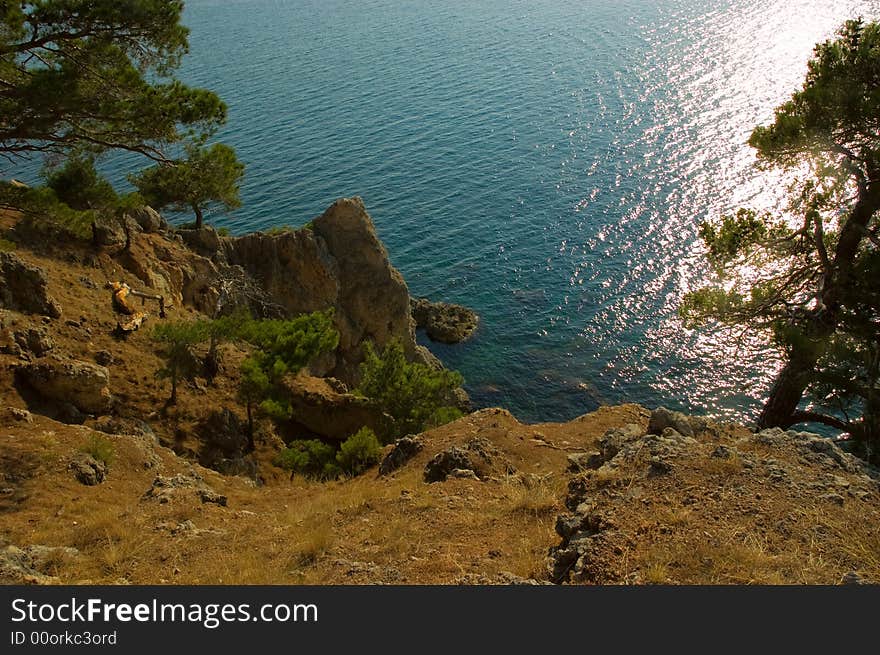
[322, 410]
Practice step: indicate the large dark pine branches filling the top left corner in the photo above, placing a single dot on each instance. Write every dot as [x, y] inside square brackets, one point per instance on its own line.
[96, 75]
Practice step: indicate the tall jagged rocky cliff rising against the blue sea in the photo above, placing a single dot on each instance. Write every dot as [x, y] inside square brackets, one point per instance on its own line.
[336, 263]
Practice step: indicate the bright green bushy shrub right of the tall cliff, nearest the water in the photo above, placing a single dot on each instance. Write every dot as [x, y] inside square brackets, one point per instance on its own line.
[415, 395]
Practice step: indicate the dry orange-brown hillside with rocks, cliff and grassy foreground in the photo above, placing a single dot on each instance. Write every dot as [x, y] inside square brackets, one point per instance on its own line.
[620, 496]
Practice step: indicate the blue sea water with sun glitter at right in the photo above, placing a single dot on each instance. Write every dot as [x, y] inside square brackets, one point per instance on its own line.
[545, 162]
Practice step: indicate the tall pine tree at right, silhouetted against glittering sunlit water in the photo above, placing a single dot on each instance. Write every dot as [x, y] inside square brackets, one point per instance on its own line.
[817, 283]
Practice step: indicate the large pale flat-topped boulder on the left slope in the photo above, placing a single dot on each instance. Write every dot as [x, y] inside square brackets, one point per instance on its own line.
[82, 384]
